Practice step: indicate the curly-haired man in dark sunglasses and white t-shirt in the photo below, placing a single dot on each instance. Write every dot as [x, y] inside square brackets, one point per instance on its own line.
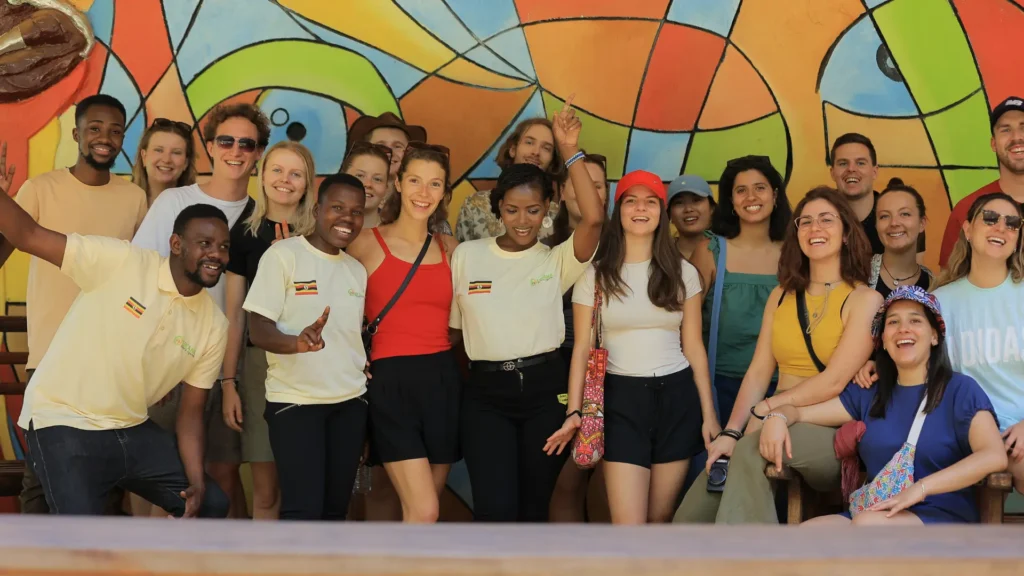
[236, 137]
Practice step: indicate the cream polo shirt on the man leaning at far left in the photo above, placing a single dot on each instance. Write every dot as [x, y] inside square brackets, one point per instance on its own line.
[129, 340]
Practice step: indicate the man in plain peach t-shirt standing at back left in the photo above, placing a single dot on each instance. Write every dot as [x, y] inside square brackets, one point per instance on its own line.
[84, 199]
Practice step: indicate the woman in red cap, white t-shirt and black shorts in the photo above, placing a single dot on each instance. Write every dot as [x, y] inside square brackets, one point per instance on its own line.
[659, 410]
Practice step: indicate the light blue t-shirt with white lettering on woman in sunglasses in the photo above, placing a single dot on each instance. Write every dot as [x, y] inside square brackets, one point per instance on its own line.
[986, 338]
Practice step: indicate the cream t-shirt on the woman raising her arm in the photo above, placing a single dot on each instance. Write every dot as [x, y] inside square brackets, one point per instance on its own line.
[509, 305]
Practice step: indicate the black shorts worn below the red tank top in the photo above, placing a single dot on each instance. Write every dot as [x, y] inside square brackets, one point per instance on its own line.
[414, 408]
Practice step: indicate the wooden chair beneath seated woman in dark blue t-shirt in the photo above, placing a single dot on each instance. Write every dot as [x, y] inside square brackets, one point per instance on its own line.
[805, 504]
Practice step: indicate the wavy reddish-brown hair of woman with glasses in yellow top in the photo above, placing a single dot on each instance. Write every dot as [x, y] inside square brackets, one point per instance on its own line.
[856, 256]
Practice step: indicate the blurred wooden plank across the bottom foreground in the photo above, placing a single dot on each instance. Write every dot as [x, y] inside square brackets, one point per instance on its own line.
[115, 547]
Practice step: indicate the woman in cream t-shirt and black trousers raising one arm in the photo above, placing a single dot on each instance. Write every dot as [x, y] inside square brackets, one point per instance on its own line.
[508, 304]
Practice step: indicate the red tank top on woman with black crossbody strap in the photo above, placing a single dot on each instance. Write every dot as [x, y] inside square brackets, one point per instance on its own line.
[418, 323]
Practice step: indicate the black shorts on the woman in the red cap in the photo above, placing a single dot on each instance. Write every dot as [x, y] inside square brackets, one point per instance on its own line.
[652, 421]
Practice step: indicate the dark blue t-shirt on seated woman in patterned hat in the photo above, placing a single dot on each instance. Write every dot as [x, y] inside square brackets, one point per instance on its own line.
[944, 439]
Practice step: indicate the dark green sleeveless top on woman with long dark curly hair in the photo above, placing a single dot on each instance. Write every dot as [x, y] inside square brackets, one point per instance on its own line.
[744, 300]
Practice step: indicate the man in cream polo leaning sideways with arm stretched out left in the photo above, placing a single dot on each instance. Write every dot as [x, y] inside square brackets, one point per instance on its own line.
[141, 325]
